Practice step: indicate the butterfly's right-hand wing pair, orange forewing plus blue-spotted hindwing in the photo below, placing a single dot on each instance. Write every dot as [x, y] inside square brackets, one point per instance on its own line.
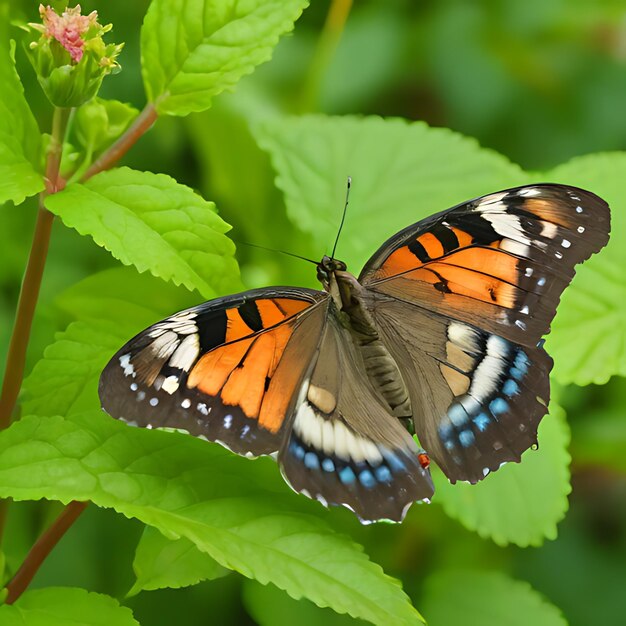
[462, 300]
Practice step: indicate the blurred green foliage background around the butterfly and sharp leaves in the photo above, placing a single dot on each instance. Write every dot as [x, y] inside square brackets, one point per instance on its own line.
[539, 81]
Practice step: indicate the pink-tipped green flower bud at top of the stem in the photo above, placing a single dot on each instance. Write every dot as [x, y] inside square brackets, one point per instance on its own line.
[70, 56]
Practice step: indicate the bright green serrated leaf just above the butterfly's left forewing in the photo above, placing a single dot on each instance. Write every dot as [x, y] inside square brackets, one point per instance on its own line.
[154, 223]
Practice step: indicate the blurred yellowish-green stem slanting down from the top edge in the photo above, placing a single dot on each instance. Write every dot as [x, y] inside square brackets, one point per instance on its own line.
[324, 52]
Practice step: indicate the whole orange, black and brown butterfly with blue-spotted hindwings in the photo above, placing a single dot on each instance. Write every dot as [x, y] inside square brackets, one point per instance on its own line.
[440, 336]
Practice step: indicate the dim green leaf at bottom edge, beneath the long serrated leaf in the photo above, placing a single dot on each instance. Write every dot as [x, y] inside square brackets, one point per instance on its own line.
[269, 606]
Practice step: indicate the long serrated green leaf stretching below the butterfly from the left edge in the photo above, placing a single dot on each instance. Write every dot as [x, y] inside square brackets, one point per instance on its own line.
[243, 525]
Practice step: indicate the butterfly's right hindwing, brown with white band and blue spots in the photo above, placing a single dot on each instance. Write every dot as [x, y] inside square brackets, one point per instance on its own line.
[477, 397]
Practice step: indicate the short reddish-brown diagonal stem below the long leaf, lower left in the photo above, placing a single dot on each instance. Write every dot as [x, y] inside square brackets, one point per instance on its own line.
[43, 546]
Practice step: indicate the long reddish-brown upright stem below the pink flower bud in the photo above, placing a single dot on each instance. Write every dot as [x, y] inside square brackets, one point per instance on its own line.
[29, 292]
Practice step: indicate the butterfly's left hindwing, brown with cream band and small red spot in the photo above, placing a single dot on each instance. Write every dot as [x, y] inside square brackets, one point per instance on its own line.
[344, 445]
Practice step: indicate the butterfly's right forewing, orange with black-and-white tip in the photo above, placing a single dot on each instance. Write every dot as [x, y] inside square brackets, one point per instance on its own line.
[499, 262]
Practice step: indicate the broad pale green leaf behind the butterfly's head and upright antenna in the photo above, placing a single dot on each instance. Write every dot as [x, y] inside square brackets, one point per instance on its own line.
[401, 172]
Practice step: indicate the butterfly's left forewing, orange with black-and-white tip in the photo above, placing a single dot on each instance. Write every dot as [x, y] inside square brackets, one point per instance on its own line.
[227, 370]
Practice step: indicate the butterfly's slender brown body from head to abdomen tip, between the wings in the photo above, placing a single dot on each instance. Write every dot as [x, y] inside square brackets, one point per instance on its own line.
[349, 302]
